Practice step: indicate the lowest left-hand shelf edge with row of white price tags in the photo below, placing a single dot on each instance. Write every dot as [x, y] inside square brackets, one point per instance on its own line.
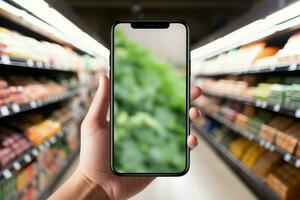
[33, 152]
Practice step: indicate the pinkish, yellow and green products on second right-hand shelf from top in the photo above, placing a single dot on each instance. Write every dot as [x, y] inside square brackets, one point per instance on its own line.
[277, 92]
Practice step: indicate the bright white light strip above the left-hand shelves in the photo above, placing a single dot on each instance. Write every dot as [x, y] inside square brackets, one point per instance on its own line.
[20, 15]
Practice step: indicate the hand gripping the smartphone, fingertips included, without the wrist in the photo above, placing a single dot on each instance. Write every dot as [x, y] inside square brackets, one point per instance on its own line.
[95, 147]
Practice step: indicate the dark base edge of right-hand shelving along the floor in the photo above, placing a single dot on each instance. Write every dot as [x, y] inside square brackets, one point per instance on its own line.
[260, 189]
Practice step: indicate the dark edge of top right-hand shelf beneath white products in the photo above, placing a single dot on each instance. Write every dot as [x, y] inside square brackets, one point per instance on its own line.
[287, 68]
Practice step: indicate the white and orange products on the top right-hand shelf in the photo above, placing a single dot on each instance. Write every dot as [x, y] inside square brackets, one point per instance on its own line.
[251, 56]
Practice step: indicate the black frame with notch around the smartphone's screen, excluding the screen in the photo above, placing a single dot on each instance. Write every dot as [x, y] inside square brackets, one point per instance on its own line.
[111, 74]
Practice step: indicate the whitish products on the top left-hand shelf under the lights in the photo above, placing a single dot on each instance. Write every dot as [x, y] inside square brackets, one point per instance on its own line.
[17, 46]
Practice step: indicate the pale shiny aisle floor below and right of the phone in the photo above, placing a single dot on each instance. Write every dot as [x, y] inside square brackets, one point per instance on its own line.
[208, 179]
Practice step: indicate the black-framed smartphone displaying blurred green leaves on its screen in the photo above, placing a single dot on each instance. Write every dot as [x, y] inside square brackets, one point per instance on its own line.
[150, 86]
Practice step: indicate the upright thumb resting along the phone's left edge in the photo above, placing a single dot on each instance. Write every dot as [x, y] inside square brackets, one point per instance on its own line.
[99, 107]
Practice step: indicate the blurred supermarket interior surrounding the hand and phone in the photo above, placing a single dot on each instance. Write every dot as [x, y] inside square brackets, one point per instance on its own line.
[245, 56]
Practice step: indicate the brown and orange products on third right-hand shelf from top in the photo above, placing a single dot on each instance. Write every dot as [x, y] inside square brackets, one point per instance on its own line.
[277, 129]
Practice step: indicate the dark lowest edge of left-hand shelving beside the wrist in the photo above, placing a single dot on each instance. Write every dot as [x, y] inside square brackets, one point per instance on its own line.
[50, 187]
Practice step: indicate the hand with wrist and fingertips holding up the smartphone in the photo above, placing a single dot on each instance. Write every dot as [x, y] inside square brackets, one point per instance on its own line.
[93, 178]
